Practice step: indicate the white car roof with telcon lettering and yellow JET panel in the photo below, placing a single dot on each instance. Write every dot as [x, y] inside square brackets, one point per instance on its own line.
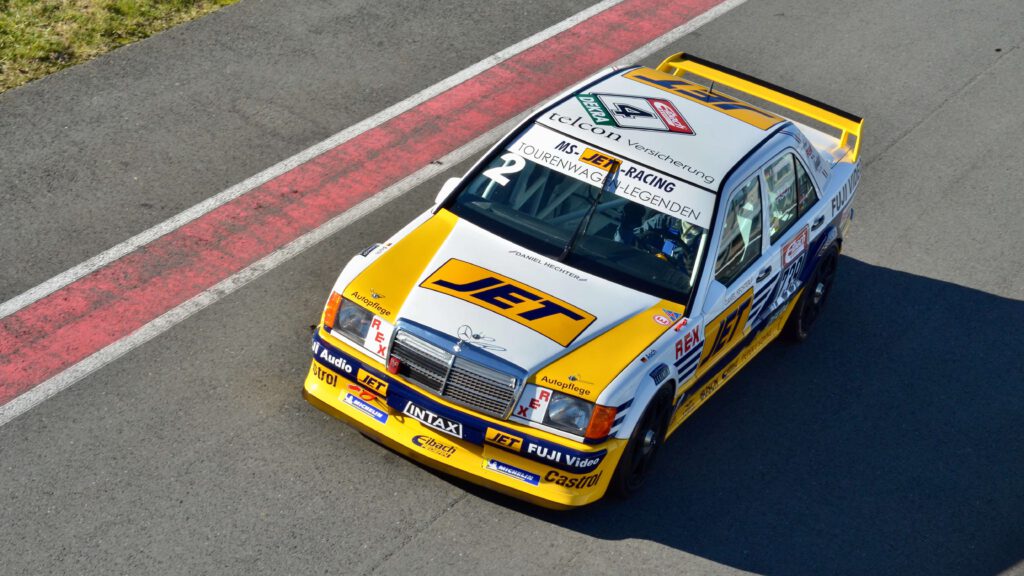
[666, 122]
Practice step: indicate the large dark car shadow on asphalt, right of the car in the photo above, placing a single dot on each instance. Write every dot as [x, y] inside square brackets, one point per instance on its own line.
[891, 442]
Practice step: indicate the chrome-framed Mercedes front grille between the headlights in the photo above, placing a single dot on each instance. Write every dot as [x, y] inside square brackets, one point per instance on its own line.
[466, 383]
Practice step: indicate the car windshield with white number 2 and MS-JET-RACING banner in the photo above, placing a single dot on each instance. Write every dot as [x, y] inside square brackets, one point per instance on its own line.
[545, 193]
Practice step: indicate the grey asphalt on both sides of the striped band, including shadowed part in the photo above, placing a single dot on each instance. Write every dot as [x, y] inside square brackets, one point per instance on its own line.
[892, 442]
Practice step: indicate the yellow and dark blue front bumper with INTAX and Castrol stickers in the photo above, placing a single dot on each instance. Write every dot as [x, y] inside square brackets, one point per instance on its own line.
[571, 478]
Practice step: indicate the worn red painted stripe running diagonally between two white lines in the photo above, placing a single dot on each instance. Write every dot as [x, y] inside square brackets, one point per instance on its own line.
[58, 332]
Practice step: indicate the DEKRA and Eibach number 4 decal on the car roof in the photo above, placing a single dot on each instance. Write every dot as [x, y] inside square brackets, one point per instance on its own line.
[635, 113]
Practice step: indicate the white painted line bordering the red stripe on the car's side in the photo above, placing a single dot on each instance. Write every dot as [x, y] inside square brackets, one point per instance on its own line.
[55, 385]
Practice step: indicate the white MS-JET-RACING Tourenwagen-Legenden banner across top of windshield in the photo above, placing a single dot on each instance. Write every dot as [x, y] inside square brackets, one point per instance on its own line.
[636, 183]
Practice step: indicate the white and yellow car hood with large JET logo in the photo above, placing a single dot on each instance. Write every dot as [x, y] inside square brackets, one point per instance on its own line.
[455, 278]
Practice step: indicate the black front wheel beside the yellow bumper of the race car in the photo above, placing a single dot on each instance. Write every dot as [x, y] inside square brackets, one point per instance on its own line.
[638, 459]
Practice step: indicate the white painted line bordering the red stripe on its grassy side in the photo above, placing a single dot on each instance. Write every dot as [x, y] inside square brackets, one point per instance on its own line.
[183, 219]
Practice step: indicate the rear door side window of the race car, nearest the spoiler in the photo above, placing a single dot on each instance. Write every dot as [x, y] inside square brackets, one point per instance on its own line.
[791, 194]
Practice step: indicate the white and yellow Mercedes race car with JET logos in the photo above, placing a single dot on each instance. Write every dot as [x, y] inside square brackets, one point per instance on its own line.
[592, 280]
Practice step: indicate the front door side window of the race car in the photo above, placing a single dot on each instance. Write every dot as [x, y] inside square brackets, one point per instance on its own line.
[741, 243]
